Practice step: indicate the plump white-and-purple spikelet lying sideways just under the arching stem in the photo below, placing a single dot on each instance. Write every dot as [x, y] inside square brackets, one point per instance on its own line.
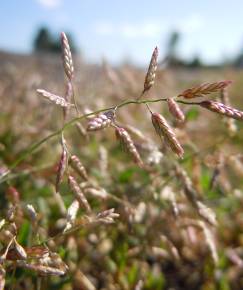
[102, 121]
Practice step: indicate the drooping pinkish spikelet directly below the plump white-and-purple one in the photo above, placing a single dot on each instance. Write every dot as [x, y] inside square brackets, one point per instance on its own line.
[128, 145]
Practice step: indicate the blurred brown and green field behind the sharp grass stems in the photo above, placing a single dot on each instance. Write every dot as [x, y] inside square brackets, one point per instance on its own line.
[148, 246]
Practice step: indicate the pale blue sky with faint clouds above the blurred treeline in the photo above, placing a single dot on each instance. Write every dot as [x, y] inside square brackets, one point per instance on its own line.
[125, 29]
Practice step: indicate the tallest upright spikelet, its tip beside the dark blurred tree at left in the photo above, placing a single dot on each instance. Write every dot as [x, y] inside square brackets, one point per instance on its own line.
[67, 57]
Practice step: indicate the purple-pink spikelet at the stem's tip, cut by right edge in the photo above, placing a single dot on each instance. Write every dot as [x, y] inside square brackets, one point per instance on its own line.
[222, 109]
